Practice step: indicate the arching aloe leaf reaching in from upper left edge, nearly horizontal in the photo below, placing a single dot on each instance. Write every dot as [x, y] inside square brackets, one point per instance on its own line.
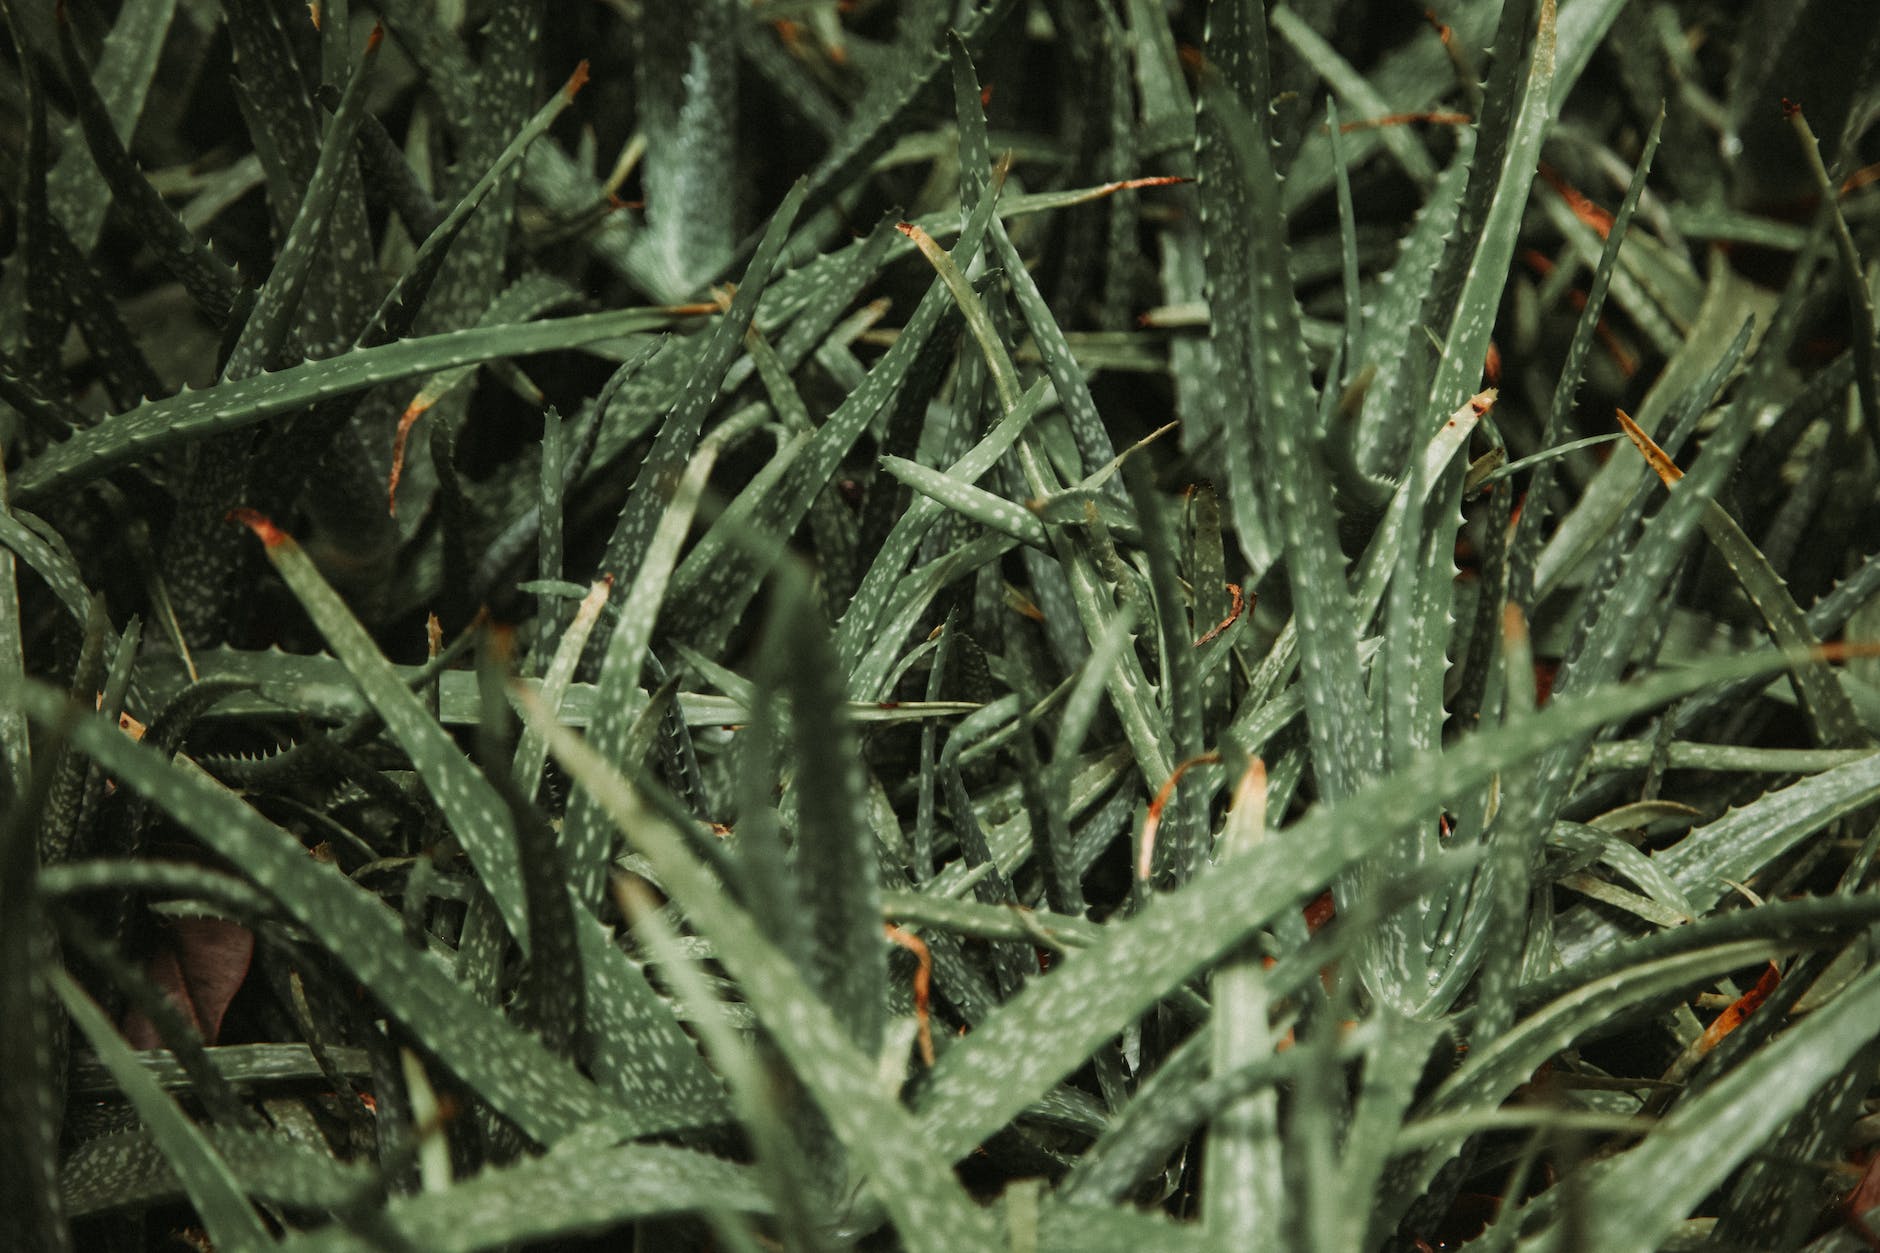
[191, 417]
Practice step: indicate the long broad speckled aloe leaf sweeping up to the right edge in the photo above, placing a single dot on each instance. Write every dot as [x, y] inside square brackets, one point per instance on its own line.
[1054, 1026]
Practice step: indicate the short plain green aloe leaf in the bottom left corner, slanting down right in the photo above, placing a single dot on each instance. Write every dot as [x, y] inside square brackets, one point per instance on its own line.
[210, 1182]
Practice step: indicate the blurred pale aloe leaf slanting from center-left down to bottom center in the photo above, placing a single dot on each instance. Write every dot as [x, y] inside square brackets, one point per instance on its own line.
[911, 1179]
